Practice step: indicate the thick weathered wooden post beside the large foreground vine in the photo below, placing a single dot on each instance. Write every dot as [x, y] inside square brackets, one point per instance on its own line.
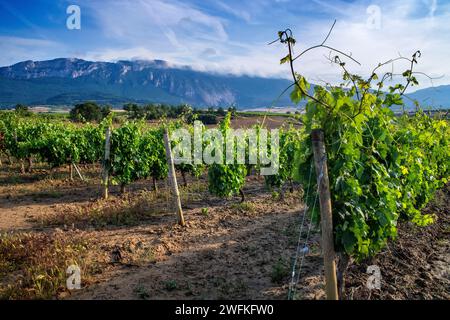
[320, 162]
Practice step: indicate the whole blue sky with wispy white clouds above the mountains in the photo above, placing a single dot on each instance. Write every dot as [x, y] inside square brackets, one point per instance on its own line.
[231, 35]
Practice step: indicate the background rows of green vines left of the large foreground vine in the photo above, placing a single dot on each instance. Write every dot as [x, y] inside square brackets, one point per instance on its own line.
[137, 151]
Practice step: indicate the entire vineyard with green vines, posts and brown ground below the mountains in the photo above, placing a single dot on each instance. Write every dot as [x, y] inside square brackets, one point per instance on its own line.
[107, 197]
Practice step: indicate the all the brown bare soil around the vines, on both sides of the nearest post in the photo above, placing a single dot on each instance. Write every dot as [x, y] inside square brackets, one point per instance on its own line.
[227, 251]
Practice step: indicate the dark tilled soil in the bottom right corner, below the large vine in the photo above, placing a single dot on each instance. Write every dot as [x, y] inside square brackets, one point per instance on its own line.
[416, 266]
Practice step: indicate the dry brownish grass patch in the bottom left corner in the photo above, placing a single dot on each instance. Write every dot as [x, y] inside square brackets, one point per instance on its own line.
[33, 266]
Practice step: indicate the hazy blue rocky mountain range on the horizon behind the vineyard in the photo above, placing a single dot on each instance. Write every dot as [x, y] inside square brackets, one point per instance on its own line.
[65, 81]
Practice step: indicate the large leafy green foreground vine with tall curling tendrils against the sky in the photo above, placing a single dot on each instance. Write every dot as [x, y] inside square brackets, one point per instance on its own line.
[382, 168]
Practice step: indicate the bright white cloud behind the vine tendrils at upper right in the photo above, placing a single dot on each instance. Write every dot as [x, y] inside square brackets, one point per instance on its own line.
[406, 26]
